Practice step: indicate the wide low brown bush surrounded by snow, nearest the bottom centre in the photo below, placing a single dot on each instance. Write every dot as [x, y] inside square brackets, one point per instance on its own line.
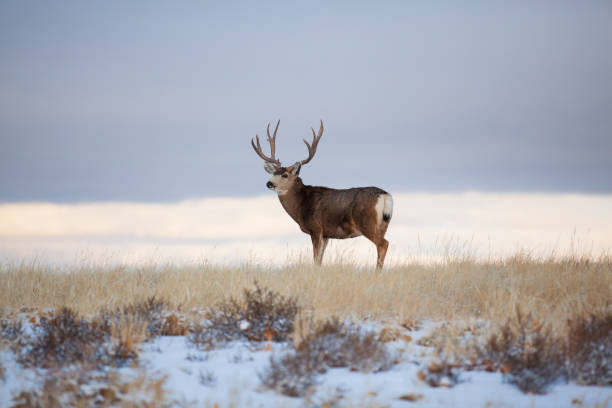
[330, 344]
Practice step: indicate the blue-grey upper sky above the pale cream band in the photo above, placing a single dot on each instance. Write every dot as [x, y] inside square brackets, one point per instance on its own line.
[156, 102]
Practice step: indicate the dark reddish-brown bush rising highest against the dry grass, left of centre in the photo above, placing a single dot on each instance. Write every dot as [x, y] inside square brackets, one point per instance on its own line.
[262, 315]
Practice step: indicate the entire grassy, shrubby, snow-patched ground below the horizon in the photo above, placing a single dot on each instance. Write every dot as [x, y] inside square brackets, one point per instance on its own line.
[516, 331]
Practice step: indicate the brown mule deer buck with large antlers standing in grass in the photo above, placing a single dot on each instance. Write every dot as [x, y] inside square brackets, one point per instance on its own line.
[323, 212]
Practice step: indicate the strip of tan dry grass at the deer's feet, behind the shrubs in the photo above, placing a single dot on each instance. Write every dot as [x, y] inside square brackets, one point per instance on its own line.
[549, 289]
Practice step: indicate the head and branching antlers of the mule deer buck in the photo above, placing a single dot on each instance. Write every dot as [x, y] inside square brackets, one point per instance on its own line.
[284, 177]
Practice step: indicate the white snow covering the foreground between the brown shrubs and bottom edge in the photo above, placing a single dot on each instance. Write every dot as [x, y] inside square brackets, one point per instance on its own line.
[229, 376]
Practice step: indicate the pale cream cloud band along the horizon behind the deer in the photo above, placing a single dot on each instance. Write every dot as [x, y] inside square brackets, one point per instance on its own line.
[257, 230]
